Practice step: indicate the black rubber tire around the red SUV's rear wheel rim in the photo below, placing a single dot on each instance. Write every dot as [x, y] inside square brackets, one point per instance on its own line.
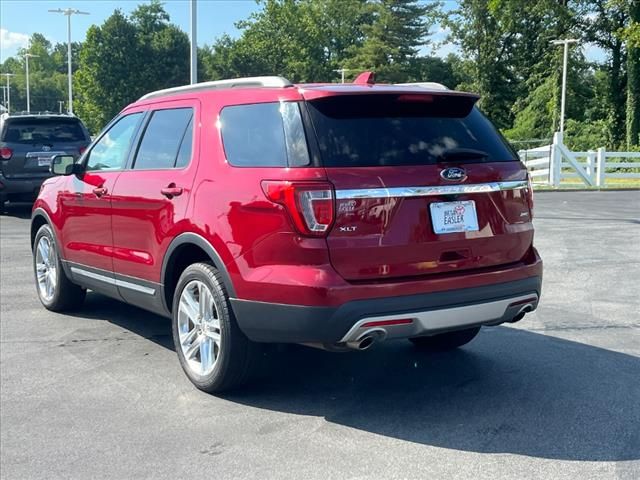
[235, 358]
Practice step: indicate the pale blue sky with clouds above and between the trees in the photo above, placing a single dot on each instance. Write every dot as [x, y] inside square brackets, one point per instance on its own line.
[19, 19]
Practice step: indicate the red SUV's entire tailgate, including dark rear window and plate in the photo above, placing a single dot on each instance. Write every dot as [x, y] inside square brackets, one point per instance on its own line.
[423, 186]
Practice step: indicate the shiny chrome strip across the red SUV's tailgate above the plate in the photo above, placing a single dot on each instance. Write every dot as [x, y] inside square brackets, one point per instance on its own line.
[430, 191]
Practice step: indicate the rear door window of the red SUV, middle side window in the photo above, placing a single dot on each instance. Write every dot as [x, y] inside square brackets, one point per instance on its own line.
[162, 139]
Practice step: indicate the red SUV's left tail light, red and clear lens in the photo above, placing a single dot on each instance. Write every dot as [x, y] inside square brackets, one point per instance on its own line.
[309, 204]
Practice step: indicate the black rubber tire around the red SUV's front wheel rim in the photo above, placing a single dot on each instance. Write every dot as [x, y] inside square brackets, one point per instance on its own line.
[66, 295]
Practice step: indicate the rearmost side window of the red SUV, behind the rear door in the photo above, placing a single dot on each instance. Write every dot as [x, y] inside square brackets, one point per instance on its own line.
[264, 135]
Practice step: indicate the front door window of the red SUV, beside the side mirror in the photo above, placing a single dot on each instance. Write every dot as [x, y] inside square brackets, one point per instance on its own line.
[110, 153]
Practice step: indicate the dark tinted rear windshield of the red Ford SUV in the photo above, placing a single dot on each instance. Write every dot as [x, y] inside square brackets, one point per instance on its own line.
[392, 130]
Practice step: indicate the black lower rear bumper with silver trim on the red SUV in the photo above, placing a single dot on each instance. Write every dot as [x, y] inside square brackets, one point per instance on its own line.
[429, 313]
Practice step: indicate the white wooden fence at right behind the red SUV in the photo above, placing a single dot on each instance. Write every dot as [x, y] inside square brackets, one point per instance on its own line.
[554, 163]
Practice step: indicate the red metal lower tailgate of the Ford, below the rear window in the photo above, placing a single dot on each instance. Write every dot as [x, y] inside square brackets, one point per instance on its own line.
[388, 229]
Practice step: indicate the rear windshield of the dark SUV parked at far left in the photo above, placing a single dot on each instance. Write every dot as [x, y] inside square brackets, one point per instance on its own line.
[43, 130]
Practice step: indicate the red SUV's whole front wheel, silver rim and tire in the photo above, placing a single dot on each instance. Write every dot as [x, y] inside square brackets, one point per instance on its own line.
[56, 292]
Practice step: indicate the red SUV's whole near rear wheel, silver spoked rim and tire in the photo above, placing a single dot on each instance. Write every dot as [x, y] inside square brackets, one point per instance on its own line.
[213, 351]
